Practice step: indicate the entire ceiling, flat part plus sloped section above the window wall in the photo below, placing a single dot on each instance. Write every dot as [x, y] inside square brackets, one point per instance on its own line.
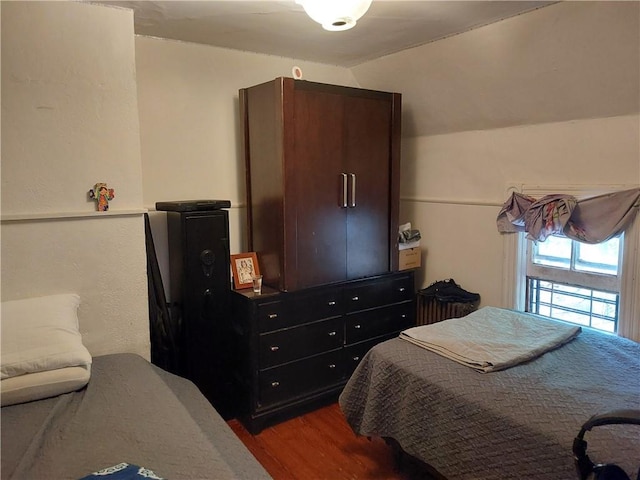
[460, 65]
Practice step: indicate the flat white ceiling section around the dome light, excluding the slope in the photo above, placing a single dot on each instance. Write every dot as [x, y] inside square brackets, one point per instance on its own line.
[282, 28]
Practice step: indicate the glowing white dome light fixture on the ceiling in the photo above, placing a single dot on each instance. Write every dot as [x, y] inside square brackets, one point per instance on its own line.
[335, 15]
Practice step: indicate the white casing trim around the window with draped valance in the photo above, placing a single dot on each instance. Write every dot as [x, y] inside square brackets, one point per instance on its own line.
[515, 258]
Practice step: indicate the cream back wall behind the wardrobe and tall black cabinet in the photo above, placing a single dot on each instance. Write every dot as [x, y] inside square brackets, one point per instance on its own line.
[190, 126]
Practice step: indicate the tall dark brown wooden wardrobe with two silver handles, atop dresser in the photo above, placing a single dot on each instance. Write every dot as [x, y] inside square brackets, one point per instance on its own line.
[323, 173]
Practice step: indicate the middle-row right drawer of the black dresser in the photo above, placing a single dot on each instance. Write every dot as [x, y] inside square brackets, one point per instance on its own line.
[377, 322]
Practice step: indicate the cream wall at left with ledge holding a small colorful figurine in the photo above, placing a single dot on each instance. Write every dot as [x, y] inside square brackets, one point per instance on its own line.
[69, 120]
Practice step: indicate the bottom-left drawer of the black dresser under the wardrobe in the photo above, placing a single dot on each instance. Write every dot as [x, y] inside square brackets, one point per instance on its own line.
[284, 383]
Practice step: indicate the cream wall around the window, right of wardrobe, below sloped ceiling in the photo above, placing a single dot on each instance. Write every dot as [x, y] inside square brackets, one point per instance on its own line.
[453, 186]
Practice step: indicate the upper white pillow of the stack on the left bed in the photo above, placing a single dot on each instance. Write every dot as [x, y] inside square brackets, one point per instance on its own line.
[41, 334]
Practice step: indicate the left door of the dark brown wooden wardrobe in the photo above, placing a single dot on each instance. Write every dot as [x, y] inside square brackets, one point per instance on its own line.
[320, 198]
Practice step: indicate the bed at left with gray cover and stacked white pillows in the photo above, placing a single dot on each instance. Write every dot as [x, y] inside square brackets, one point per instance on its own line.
[105, 411]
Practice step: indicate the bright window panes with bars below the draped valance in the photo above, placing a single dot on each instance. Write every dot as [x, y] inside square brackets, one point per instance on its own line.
[575, 282]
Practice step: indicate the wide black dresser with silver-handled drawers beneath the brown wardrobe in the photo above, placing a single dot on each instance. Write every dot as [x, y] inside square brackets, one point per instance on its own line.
[296, 350]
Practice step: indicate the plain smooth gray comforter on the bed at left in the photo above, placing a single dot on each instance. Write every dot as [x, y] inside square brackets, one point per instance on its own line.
[130, 412]
